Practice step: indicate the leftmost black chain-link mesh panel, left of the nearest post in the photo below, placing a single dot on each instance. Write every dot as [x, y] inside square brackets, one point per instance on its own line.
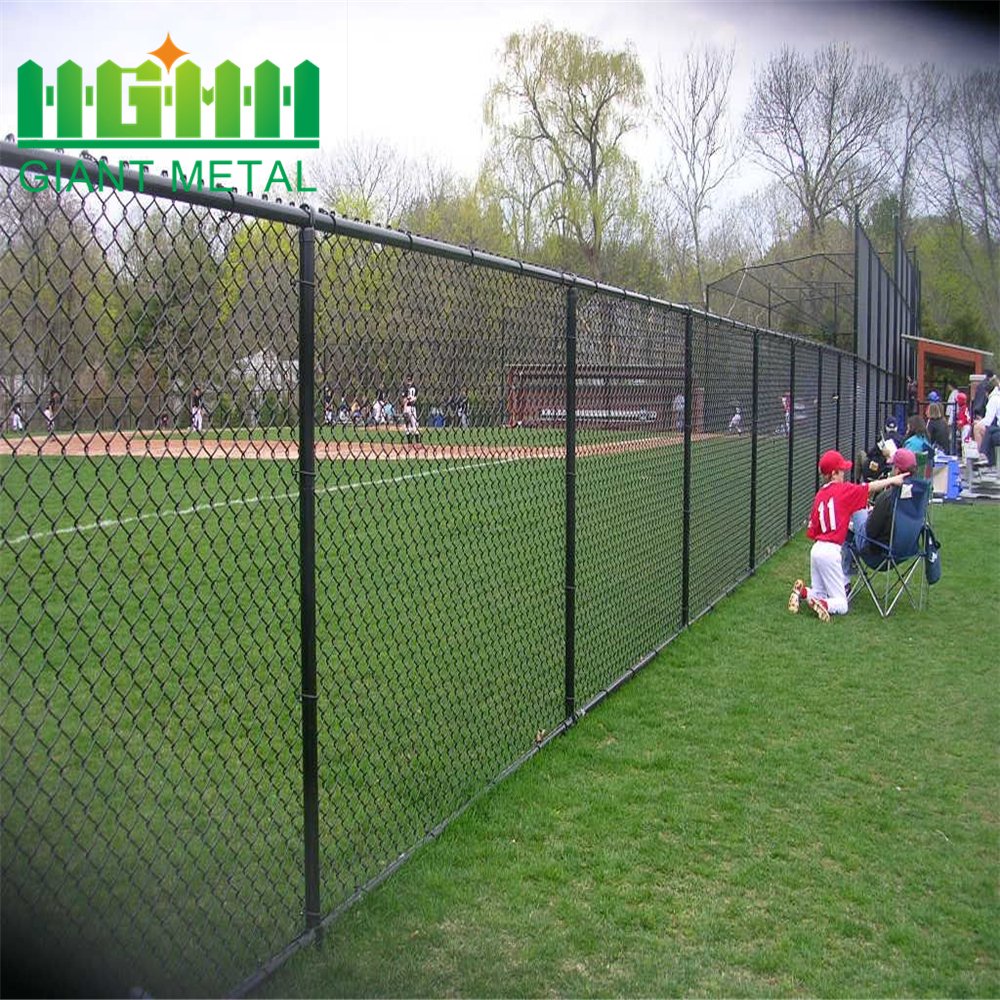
[150, 724]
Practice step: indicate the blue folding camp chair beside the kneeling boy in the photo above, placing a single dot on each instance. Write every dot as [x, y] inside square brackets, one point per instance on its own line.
[900, 560]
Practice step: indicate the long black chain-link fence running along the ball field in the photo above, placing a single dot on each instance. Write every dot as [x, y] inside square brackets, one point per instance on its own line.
[262, 639]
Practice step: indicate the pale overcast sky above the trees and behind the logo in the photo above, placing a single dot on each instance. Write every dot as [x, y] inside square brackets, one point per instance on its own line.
[415, 73]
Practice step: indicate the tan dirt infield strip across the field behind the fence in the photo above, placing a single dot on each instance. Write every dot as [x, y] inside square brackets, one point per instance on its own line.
[155, 445]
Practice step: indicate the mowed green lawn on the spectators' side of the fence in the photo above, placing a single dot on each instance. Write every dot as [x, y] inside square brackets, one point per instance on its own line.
[773, 807]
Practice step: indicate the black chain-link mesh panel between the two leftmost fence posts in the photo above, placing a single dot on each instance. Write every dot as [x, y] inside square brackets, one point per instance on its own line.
[440, 563]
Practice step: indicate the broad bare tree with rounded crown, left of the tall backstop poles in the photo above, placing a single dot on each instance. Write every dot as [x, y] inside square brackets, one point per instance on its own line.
[815, 124]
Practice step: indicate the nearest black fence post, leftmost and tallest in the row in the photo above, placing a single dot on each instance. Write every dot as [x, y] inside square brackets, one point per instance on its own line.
[307, 550]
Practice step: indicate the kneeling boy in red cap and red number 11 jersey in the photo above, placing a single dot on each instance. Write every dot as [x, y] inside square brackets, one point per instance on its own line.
[833, 506]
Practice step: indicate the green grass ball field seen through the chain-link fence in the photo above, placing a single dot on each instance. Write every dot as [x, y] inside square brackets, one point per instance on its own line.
[151, 778]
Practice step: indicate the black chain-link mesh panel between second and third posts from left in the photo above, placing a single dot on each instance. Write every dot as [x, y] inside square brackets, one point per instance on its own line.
[630, 370]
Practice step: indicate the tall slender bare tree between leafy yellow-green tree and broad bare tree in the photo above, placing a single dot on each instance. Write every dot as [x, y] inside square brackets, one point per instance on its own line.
[691, 108]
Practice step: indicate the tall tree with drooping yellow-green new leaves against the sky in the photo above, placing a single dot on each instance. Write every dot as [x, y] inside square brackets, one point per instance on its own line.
[559, 111]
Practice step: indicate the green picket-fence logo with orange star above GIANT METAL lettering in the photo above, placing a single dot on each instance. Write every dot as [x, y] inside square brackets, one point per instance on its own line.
[187, 96]
